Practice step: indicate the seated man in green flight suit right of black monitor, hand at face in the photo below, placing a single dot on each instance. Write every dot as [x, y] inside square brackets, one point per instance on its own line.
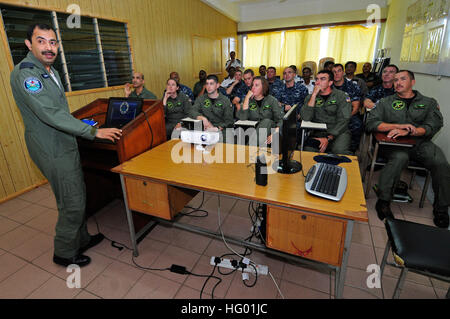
[332, 107]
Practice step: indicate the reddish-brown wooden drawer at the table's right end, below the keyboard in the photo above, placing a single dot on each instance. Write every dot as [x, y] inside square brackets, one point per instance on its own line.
[308, 235]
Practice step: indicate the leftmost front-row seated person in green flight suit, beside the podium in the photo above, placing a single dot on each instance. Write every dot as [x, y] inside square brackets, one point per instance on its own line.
[176, 106]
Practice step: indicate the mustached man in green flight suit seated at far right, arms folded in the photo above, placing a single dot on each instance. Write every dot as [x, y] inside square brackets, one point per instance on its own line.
[409, 113]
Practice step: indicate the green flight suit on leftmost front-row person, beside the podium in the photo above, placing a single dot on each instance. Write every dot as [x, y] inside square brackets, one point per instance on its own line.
[175, 110]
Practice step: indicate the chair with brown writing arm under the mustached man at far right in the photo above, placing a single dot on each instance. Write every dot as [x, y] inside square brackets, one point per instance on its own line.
[375, 159]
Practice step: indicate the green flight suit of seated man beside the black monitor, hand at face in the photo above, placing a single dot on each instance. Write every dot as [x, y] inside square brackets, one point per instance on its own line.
[336, 112]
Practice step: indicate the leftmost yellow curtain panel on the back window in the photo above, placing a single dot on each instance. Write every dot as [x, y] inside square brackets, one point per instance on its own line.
[263, 48]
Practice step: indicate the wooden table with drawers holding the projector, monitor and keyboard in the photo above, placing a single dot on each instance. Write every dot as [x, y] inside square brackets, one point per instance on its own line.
[299, 224]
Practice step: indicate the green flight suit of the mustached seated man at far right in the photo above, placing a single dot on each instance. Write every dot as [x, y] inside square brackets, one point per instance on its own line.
[423, 112]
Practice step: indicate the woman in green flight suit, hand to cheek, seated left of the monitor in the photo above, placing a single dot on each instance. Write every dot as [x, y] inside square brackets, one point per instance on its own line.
[259, 106]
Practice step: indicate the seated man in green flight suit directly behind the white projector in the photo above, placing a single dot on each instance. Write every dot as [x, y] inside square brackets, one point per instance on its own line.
[213, 108]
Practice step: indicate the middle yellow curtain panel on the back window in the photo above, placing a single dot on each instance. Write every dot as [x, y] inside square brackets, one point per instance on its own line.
[300, 46]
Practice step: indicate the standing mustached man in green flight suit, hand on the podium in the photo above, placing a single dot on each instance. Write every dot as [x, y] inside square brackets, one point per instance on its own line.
[50, 135]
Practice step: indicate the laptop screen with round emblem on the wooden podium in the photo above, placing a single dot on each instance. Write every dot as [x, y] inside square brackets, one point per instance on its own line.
[122, 110]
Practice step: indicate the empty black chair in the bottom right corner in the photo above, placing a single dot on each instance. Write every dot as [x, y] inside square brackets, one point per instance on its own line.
[417, 248]
